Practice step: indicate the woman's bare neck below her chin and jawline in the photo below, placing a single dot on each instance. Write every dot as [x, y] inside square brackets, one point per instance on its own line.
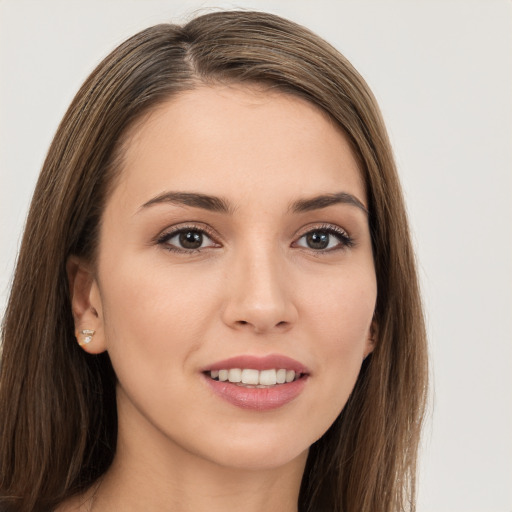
[155, 474]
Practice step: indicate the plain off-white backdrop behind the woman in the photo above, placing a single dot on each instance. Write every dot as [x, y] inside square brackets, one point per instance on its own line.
[442, 73]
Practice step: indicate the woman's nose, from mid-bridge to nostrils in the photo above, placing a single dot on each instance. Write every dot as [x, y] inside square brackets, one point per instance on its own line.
[259, 295]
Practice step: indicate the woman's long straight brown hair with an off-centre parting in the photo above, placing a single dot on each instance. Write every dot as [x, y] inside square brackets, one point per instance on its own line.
[58, 422]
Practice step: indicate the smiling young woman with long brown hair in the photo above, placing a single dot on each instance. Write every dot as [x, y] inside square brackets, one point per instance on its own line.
[215, 303]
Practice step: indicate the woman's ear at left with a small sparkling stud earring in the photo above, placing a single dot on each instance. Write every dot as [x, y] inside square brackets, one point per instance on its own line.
[86, 306]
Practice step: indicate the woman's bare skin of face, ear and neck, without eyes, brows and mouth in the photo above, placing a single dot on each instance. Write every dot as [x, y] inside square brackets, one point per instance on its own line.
[254, 287]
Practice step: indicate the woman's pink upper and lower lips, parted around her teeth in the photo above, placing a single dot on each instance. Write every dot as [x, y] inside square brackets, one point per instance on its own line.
[258, 399]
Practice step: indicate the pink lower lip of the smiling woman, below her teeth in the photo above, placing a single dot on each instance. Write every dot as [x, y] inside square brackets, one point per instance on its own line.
[257, 399]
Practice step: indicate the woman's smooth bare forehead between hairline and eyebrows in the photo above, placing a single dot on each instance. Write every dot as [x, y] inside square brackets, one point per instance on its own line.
[237, 139]
